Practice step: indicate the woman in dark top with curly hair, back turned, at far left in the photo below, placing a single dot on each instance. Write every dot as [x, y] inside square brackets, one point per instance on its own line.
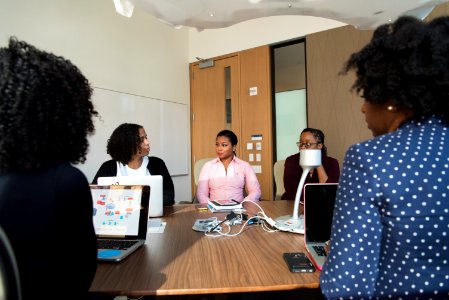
[45, 118]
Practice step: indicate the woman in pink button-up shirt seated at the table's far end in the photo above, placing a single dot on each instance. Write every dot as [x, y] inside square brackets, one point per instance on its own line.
[227, 176]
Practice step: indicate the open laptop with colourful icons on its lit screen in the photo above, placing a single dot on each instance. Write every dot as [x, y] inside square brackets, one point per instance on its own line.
[120, 219]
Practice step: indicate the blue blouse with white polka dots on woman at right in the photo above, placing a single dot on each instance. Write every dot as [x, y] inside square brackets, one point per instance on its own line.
[390, 231]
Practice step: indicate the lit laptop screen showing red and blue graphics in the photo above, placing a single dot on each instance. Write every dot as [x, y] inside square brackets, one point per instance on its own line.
[119, 211]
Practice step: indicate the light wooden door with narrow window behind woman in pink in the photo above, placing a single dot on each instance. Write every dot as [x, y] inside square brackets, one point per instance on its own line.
[210, 90]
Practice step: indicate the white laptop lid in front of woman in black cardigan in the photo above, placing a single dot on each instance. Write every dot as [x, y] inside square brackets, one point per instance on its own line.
[154, 181]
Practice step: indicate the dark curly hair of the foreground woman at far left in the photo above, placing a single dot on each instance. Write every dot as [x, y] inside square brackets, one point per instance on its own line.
[45, 109]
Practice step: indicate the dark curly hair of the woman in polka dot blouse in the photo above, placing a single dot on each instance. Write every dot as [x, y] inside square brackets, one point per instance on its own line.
[407, 63]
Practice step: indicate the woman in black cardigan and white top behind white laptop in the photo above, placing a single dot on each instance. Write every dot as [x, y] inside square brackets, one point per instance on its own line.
[129, 147]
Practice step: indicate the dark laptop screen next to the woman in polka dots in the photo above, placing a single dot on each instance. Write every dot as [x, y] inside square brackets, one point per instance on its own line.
[319, 201]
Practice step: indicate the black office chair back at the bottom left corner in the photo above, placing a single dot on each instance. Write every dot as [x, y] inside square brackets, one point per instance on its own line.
[9, 273]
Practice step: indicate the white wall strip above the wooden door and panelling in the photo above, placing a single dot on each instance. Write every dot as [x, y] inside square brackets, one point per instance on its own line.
[253, 33]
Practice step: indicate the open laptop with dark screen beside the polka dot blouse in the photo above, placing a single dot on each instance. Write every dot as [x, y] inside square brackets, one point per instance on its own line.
[319, 201]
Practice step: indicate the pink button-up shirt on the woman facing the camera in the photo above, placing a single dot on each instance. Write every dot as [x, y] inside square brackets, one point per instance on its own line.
[215, 183]
